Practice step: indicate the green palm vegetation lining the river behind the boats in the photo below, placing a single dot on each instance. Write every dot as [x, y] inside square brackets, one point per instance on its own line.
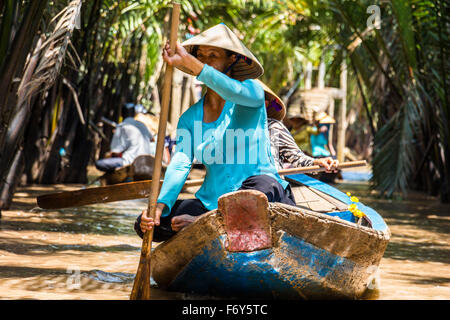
[66, 64]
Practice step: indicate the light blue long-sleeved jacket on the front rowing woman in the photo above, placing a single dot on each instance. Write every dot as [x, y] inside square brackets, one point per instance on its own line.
[232, 148]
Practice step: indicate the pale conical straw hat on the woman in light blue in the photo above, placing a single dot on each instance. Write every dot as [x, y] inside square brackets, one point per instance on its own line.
[222, 37]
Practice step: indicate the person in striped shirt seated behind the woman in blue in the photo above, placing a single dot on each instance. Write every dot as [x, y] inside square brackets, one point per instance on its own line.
[284, 149]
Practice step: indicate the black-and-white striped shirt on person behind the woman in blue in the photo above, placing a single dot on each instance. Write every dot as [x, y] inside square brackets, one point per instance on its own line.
[283, 147]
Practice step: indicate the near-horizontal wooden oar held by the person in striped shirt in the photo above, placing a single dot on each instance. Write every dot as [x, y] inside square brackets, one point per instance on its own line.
[141, 189]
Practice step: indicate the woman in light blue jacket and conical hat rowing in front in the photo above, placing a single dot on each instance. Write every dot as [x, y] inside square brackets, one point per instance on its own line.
[226, 130]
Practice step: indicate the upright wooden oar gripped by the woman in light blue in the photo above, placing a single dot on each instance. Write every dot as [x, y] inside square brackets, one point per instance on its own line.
[141, 286]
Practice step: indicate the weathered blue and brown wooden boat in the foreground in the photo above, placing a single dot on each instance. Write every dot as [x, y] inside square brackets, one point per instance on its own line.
[249, 248]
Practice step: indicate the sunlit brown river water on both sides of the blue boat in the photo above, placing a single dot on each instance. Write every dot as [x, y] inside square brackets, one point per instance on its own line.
[92, 252]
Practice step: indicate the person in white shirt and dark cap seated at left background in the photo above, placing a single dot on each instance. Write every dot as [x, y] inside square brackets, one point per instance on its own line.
[131, 139]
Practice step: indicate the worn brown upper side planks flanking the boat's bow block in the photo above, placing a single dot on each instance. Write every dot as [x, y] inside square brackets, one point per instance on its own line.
[363, 245]
